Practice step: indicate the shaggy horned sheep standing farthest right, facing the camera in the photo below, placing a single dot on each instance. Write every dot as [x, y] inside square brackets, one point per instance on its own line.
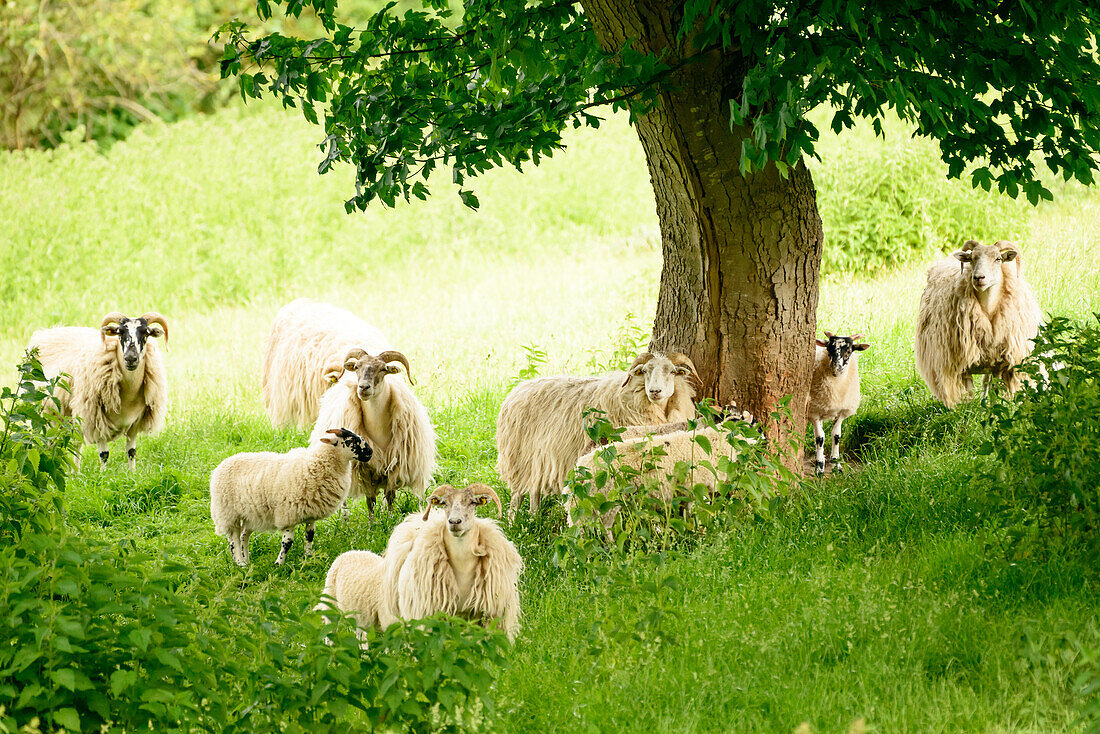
[978, 317]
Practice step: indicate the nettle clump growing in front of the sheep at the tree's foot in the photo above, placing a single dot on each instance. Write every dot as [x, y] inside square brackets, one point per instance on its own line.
[645, 506]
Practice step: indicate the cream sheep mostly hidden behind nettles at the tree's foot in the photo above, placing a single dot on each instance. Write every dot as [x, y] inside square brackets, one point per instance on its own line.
[661, 453]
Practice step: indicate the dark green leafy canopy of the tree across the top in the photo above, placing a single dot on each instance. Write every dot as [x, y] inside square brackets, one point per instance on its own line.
[1000, 86]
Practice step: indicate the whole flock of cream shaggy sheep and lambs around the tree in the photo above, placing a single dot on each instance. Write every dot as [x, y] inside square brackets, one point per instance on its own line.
[329, 370]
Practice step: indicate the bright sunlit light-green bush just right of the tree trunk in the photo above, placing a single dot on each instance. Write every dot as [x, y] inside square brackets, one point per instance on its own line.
[893, 204]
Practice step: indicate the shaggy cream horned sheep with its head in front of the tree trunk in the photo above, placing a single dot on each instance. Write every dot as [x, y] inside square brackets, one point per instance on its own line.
[541, 430]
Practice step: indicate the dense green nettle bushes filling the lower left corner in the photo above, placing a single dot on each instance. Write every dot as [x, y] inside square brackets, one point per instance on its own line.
[102, 637]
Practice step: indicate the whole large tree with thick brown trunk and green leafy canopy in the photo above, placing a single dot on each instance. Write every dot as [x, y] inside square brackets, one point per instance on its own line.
[719, 92]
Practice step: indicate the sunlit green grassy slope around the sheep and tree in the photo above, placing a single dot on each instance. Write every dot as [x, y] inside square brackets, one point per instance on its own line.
[875, 597]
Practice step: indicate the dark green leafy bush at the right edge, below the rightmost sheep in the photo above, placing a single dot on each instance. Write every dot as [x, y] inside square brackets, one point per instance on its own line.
[1046, 442]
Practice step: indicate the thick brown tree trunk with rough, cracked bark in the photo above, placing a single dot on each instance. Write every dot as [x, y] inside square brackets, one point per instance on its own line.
[742, 254]
